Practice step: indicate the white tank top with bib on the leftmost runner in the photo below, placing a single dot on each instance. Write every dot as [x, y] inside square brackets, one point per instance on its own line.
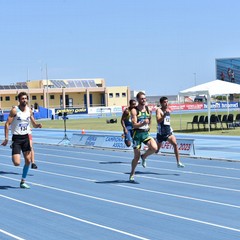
[21, 122]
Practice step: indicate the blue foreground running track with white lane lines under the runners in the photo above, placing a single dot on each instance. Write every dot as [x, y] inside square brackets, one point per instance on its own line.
[80, 193]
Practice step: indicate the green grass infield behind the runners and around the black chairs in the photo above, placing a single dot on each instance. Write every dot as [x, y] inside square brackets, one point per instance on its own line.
[178, 123]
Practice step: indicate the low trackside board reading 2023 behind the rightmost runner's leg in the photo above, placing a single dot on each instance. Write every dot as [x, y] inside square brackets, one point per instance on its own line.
[185, 146]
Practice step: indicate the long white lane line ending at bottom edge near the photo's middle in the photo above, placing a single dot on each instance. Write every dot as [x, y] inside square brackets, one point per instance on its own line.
[74, 218]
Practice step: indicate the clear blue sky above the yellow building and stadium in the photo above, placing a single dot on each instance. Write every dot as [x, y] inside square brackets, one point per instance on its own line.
[152, 45]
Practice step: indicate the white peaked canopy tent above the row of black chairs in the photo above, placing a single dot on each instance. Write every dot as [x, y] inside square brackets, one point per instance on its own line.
[213, 88]
